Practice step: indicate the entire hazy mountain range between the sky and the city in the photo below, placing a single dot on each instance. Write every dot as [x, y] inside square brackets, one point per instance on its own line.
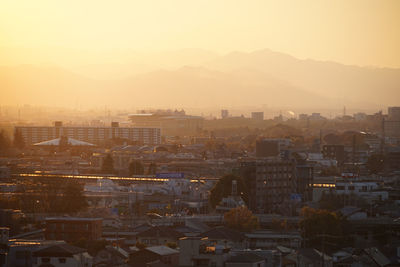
[236, 79]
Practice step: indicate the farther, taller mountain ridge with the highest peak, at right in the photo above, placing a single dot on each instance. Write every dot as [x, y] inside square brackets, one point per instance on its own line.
[343, 83]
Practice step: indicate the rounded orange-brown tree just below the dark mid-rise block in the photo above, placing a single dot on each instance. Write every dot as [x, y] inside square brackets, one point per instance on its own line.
[241, 219]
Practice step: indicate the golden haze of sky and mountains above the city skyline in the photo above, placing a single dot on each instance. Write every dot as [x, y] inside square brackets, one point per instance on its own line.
[200, 54]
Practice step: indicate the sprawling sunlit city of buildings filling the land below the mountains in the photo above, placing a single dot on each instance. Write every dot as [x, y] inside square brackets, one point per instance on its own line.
[148, 191]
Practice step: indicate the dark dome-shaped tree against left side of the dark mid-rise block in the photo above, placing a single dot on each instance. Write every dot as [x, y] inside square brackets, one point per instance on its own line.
[223, 188]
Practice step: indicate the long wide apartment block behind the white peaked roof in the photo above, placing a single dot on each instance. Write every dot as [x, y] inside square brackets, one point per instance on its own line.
[91, 134]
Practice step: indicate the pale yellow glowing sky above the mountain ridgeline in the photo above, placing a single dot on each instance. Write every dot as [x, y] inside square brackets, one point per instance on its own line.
[359, 32]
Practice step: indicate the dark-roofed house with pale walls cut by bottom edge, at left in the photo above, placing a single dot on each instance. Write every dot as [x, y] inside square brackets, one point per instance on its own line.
[62, 255]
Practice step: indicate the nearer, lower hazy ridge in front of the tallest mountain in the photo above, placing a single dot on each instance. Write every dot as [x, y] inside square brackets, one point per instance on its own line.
[187, 86]
